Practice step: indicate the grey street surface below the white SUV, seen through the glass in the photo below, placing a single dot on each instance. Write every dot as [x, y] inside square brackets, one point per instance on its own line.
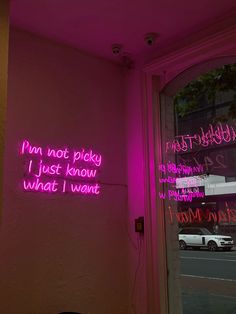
[208, 281]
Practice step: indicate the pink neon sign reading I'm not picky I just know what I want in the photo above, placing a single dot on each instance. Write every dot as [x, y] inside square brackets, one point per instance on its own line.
[60, 170]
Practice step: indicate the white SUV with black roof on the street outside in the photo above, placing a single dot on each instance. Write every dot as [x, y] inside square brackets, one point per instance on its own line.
[202, 237]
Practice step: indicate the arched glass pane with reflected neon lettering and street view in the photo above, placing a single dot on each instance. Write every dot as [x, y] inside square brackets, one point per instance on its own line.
[197, 179]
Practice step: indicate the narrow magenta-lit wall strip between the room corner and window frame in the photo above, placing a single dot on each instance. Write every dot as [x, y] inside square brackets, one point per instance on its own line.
[136, 202]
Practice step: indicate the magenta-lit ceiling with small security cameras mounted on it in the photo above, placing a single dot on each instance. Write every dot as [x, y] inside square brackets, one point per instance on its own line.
[94, 25]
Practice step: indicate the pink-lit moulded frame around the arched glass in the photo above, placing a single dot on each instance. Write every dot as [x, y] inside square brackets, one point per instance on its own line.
[155, 76]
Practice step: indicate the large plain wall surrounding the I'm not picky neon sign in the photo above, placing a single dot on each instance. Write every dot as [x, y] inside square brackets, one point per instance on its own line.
[64, 252]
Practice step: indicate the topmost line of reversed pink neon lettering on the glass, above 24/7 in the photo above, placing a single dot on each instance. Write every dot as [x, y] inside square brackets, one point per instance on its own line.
[212, 136]
